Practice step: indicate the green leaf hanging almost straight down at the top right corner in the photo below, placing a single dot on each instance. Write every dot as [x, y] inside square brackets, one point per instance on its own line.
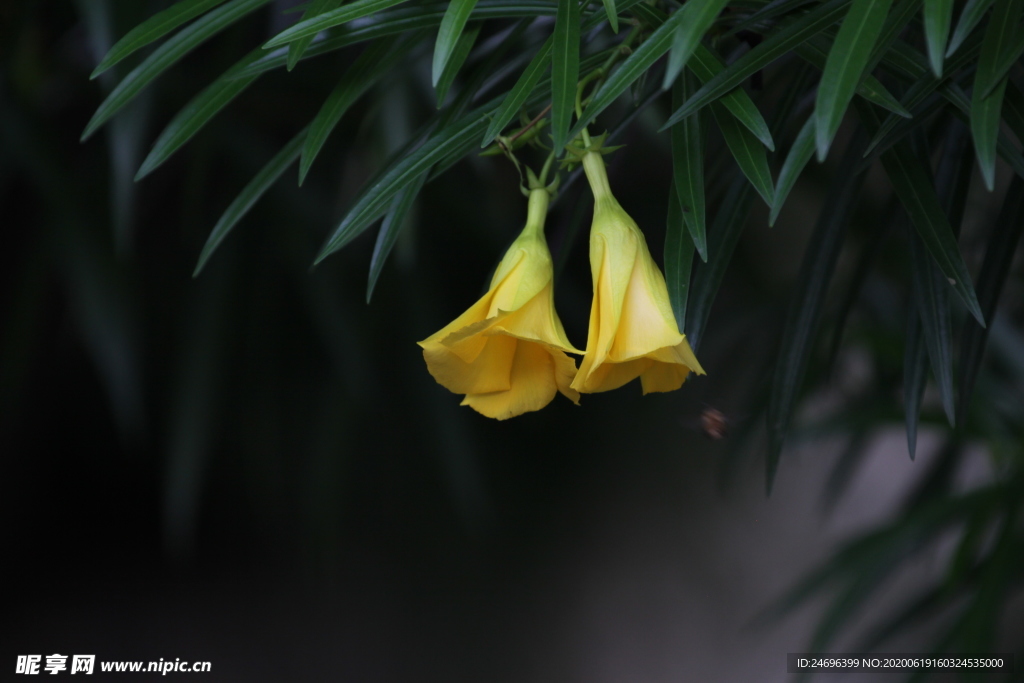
[986, 110]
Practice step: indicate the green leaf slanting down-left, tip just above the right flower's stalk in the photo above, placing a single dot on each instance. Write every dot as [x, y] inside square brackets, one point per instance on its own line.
[690, 17]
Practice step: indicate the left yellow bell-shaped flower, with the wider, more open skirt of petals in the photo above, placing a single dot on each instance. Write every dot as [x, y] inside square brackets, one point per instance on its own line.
[507, 352]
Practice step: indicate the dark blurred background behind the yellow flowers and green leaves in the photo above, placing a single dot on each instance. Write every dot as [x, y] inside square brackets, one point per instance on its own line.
[254, 468]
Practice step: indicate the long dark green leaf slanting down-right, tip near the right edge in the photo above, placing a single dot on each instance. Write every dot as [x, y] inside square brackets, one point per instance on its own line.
[916, 192]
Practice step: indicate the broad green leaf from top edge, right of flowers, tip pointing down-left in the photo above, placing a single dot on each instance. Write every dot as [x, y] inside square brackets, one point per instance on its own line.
[847, 60]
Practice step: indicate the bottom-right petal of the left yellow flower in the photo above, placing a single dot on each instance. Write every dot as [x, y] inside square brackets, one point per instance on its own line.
[532, 388]
